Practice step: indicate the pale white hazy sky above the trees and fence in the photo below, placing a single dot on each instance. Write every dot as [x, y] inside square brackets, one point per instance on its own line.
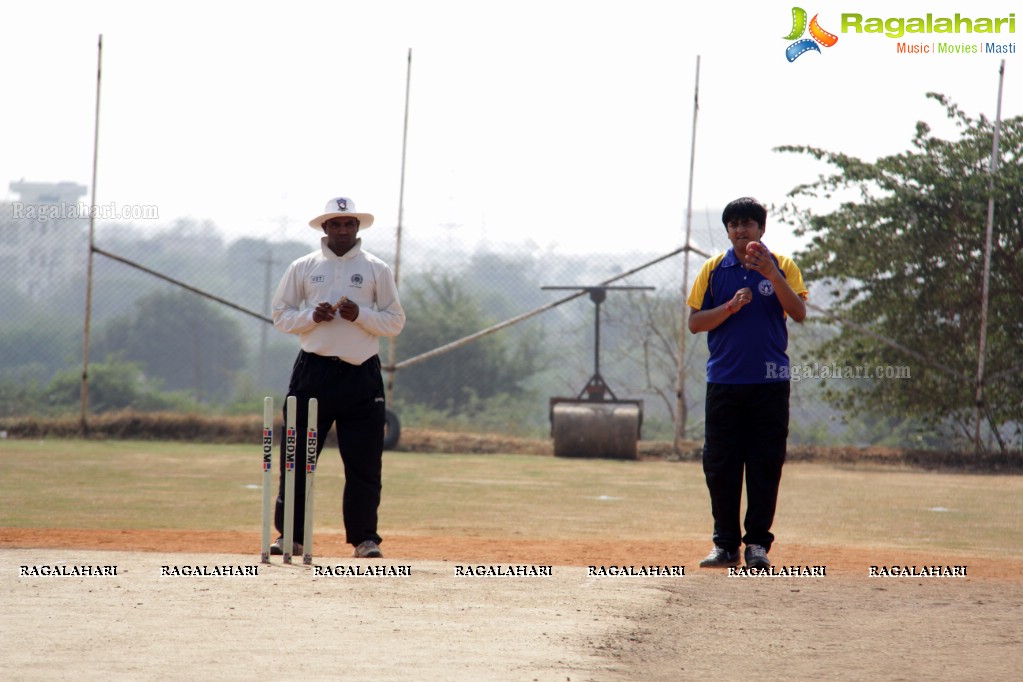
[563, 124]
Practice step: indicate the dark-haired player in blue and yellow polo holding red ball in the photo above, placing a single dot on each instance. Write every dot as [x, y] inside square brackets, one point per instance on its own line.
[743, 299]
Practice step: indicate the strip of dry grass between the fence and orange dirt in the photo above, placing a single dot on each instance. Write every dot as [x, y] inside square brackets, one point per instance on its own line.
[152, 486]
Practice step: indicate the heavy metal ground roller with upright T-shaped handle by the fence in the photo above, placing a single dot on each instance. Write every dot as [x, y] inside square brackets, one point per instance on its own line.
[597, 424]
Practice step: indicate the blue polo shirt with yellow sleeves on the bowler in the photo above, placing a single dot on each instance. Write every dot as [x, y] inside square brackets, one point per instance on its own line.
[743, 346]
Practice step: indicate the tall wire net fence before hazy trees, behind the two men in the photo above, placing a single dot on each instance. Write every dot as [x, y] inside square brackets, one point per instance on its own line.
[181, 321]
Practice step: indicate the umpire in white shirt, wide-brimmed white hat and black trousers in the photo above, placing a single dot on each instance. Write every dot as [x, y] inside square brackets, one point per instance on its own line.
[340, 300]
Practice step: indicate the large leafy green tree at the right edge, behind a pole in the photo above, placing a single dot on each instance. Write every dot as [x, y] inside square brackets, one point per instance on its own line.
[903, 258]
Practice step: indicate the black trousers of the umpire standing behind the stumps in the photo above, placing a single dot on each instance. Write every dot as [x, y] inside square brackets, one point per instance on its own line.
[352, 398]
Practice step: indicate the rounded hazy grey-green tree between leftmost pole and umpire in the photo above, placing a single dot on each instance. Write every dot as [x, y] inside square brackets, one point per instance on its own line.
[179, 338]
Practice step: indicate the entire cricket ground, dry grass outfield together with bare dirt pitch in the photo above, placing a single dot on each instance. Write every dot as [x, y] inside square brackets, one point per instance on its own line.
[142, 506]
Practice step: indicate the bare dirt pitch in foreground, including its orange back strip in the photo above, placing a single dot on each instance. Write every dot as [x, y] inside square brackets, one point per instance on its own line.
[434, 625]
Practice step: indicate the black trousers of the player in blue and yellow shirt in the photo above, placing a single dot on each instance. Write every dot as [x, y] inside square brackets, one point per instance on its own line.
[747, 429]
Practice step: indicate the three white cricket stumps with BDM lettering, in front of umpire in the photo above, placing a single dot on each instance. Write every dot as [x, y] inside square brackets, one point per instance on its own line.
[291, 449]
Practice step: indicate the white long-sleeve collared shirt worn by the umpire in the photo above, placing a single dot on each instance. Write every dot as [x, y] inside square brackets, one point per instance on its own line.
[324, 276]
